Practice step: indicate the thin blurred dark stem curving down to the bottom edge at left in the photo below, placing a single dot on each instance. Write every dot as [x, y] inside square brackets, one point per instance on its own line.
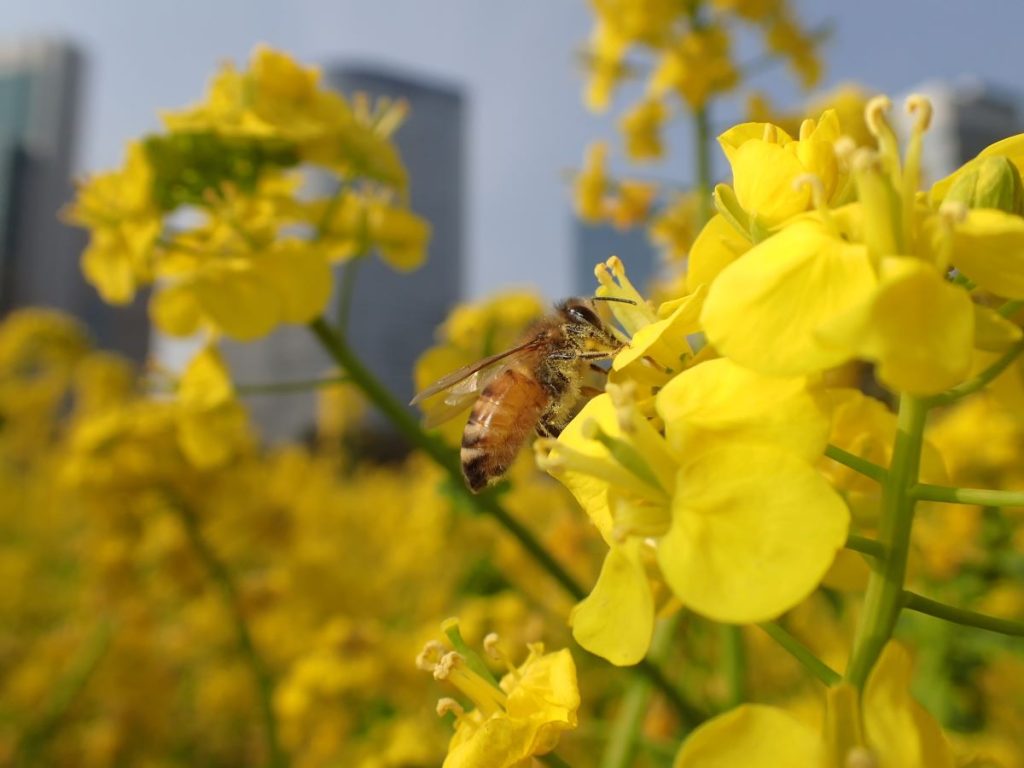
[258, 667]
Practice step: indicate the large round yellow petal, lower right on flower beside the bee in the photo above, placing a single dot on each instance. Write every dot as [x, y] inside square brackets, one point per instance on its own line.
[754, 532]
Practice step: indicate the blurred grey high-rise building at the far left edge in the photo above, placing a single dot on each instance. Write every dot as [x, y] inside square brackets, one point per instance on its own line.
[39, 99]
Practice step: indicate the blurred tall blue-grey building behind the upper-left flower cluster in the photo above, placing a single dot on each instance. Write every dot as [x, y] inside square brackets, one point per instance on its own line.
[394, 317]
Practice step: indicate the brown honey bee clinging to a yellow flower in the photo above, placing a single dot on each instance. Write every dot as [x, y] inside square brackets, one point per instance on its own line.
[537, 387]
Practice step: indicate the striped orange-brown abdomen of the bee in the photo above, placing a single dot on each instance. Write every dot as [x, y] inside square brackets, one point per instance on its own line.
[503, 417]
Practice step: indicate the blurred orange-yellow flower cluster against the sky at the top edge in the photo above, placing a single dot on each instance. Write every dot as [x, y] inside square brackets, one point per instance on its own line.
[685, 55]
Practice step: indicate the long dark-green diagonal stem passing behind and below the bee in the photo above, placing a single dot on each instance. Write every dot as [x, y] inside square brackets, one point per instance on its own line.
[486, 503]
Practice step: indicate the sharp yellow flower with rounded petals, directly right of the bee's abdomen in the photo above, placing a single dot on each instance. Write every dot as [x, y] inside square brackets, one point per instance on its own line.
[713, 501]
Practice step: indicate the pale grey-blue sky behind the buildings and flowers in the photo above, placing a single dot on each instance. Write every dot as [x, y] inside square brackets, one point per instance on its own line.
[514, 60]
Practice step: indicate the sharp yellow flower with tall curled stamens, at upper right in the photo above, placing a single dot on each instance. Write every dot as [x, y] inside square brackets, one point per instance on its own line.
[865, 281]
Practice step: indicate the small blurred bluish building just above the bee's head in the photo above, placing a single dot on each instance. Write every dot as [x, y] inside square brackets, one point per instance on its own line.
[595, 243]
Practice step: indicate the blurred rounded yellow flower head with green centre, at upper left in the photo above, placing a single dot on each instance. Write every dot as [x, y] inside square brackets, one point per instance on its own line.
[210, 210]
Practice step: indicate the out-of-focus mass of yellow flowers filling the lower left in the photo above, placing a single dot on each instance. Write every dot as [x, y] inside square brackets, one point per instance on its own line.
[129, 515]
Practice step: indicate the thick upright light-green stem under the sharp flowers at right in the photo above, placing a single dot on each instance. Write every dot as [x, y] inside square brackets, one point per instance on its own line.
[884, 599]
